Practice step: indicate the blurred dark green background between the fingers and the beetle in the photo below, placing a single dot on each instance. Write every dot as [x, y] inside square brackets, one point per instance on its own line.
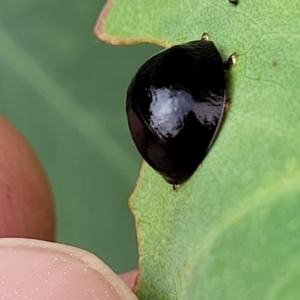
[65, 91]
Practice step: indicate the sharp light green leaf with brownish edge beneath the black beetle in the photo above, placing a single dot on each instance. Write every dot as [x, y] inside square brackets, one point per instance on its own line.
[233, 230]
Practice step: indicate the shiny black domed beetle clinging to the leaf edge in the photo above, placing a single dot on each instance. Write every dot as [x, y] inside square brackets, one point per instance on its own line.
[175, 104]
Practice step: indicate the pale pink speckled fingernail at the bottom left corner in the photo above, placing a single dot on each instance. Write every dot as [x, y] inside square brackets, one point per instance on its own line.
[43, 270]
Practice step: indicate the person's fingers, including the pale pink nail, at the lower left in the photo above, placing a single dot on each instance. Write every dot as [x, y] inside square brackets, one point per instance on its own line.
[35, 269]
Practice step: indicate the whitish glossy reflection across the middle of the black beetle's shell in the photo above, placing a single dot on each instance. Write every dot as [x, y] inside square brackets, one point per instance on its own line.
[169, 109]
